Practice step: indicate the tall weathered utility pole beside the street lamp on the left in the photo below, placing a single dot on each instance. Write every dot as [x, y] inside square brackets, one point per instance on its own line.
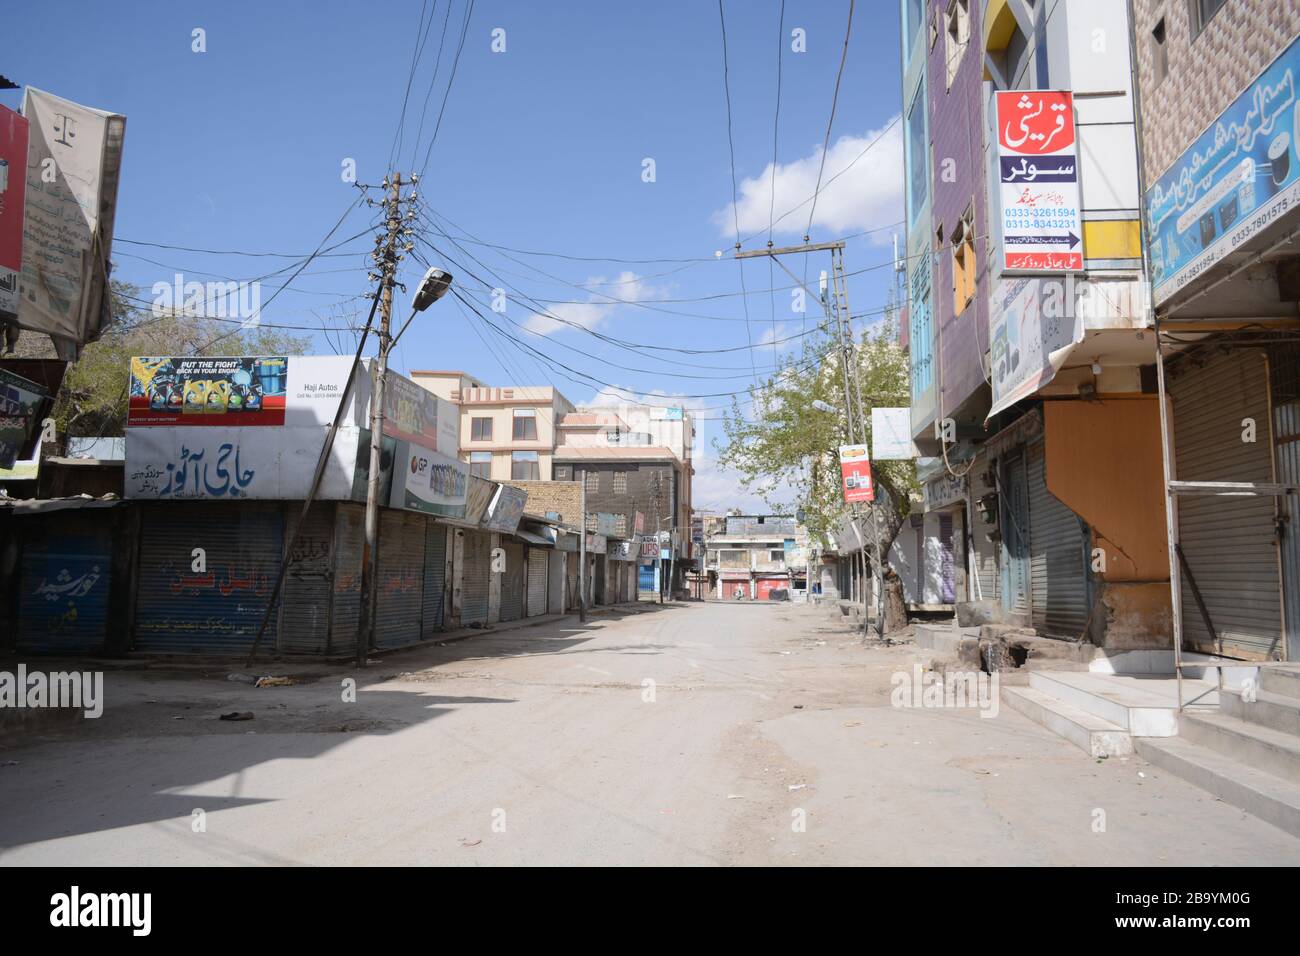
[387, 257]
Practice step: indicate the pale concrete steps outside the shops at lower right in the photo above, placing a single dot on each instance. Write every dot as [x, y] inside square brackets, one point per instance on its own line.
[1243, 751]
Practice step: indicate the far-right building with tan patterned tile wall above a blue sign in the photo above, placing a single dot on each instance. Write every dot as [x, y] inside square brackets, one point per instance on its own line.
[1221, 170]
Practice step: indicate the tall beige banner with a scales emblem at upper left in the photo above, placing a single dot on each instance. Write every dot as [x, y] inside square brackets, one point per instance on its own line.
[68, 231]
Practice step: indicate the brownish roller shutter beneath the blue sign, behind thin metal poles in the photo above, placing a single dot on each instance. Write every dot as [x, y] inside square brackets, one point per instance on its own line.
[1229, 543]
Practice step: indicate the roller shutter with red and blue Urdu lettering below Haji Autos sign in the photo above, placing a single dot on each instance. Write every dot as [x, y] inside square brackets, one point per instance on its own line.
[218, 612]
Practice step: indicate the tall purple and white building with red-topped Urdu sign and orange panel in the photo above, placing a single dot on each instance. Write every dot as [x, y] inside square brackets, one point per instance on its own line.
[1043, 500]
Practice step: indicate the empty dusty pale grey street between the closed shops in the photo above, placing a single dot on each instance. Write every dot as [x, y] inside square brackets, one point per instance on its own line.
[694, 734]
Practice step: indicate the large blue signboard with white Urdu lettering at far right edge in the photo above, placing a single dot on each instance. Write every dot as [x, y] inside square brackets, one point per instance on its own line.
[1232, 184]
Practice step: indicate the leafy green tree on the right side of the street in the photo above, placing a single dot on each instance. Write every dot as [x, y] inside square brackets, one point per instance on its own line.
[790, 444]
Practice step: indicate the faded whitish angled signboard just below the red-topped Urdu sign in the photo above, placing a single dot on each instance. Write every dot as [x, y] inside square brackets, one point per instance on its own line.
[1033, 325]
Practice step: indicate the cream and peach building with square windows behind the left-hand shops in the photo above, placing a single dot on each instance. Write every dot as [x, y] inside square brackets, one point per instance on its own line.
[506, 434]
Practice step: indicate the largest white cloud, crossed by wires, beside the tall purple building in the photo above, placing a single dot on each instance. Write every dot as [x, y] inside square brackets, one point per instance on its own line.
[868, 196]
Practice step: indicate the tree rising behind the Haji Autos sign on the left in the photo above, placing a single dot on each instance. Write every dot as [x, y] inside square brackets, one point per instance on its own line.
[92, 403]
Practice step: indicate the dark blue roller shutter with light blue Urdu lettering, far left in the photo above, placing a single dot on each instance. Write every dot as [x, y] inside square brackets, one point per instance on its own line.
[63, 605]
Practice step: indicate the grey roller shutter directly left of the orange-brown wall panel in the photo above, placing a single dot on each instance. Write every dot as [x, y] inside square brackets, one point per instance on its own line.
[1059, 547]
